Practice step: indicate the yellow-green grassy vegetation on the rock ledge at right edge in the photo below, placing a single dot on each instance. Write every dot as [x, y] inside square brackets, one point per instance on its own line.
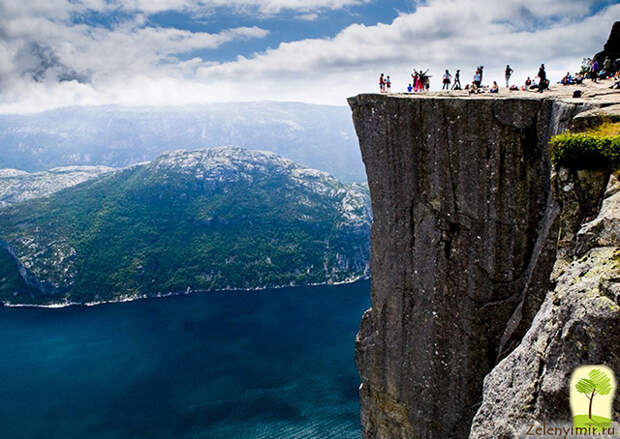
[597, 148]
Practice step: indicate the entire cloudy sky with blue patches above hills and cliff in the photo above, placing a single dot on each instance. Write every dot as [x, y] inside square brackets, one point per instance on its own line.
[56, 53]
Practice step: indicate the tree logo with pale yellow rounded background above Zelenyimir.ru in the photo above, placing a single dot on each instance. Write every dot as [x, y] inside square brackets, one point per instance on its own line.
[592, 392]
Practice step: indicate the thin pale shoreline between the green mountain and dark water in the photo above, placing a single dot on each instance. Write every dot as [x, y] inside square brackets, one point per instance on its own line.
[187, 292]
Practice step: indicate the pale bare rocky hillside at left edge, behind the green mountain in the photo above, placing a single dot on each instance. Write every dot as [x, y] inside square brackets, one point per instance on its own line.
[17, 186]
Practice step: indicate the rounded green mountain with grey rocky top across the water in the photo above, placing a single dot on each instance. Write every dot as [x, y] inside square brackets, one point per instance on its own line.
[223, 218]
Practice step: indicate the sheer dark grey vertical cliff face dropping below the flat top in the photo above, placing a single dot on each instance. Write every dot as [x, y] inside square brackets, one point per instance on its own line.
[463, 243]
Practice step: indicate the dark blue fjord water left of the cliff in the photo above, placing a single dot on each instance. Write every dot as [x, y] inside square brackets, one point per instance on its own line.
[270, 364]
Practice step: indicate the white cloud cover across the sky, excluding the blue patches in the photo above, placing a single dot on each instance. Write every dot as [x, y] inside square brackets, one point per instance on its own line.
[133, 64]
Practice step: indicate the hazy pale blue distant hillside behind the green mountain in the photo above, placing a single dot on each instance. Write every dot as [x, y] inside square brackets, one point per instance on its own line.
[316, 136]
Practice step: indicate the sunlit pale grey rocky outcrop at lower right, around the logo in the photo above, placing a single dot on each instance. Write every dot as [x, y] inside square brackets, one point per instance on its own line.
[576, 325]
